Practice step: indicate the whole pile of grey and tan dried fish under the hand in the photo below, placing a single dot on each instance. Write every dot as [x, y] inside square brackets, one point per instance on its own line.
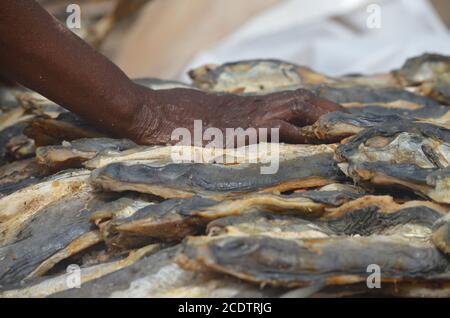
[368, 189]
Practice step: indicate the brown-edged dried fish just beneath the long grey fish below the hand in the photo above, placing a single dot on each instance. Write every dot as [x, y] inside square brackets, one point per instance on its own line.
[173, 220]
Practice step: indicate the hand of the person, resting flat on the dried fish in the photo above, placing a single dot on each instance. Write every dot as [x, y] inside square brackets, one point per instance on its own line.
[160, 112]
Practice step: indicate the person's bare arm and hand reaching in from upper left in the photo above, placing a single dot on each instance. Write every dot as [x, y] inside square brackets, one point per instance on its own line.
[40, 53]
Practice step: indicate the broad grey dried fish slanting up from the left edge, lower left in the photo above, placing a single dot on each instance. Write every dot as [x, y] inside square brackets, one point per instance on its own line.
[56, 232]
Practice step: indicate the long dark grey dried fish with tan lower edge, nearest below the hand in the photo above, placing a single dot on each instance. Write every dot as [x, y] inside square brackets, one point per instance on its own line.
[216, 181]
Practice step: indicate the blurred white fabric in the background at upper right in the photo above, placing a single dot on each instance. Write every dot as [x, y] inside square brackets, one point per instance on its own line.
[331, 36]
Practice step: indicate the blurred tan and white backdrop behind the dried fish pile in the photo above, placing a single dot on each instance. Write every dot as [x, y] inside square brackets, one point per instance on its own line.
[165, 38]
